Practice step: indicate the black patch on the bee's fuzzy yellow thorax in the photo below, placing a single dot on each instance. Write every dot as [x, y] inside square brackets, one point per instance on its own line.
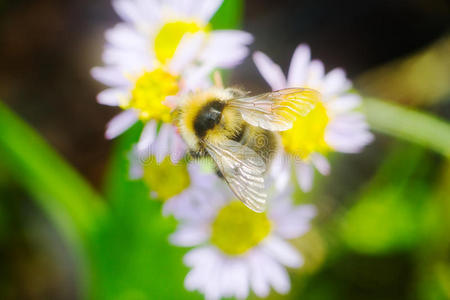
[208, 117]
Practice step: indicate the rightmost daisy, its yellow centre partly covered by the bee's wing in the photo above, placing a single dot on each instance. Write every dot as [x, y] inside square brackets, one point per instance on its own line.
[332, 126]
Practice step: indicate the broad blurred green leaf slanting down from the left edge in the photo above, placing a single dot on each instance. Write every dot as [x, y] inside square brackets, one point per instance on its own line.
[71, 204]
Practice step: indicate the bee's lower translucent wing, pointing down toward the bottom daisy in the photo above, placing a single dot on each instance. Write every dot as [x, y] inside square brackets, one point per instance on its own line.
[243, 170]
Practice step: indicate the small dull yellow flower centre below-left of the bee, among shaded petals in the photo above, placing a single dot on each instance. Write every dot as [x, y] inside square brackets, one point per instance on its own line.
[166, 179]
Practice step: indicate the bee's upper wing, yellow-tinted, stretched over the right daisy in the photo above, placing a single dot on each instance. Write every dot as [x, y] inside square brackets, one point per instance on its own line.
[276, 111]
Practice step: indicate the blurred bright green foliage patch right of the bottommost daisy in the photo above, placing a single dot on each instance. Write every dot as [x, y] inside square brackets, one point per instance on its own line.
[393, 212]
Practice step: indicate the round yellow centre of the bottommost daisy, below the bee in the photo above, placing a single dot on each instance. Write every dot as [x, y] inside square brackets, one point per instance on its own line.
[237, 229]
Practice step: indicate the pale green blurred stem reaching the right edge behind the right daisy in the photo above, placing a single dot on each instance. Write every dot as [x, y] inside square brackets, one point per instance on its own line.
[410, 125]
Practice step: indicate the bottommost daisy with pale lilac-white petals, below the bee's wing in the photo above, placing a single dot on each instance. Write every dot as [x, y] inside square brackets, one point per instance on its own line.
[237, 250]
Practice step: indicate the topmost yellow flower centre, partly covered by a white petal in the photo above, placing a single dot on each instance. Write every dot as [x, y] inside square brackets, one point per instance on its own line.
[170, 35]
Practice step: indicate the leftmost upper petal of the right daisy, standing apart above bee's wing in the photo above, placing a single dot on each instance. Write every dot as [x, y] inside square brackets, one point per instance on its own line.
[271, 72]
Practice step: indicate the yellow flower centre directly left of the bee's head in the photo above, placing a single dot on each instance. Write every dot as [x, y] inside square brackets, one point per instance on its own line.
[150, 90]
